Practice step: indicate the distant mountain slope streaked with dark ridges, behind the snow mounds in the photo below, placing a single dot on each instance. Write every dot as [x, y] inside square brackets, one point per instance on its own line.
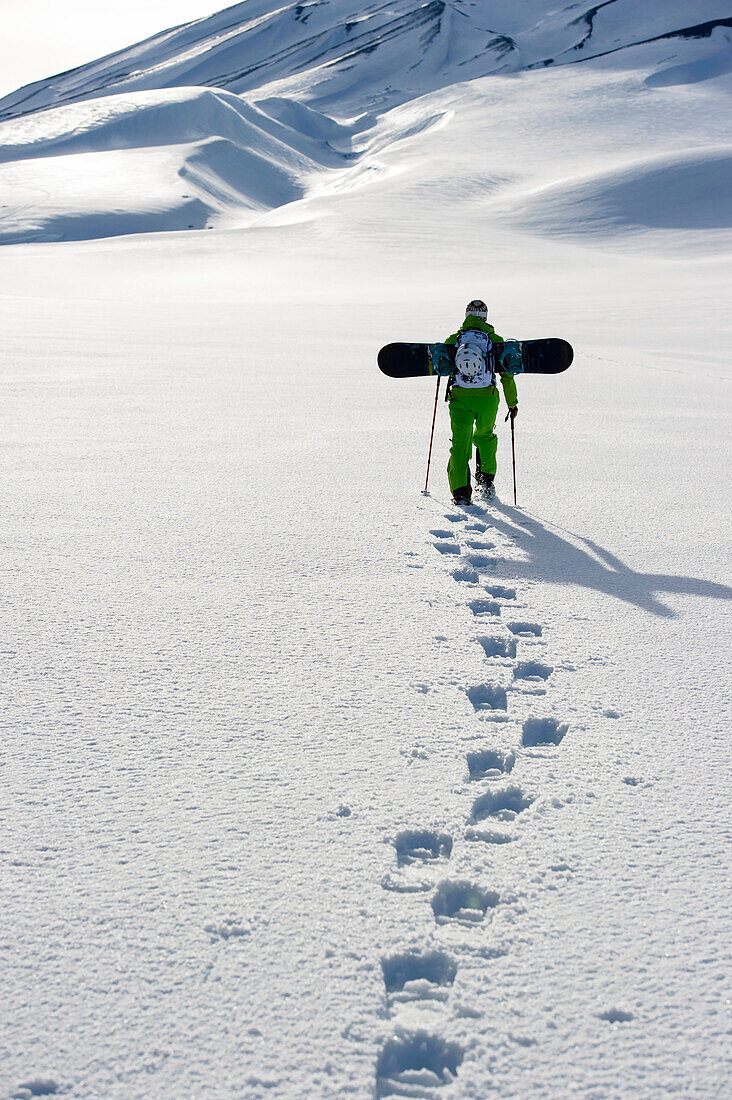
[345, 58]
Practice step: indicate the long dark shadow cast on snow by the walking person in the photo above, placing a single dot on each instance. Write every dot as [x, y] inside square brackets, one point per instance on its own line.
[552, 558]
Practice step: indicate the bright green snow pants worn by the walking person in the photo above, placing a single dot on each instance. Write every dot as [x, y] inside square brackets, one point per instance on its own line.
[473, 417]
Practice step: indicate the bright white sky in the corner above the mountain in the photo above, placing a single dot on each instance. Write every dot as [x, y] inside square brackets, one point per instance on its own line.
[42, 38]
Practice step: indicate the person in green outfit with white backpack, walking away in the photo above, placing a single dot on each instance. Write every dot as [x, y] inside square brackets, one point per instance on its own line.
[474, 402]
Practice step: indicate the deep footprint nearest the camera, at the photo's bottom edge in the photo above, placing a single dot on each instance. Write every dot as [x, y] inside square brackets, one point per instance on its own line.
[416, 1064]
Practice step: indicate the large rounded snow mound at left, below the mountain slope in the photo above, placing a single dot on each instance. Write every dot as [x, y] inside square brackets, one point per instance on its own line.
[161, 160]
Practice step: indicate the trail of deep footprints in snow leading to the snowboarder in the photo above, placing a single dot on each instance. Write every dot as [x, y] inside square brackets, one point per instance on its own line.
[420, 1062]
